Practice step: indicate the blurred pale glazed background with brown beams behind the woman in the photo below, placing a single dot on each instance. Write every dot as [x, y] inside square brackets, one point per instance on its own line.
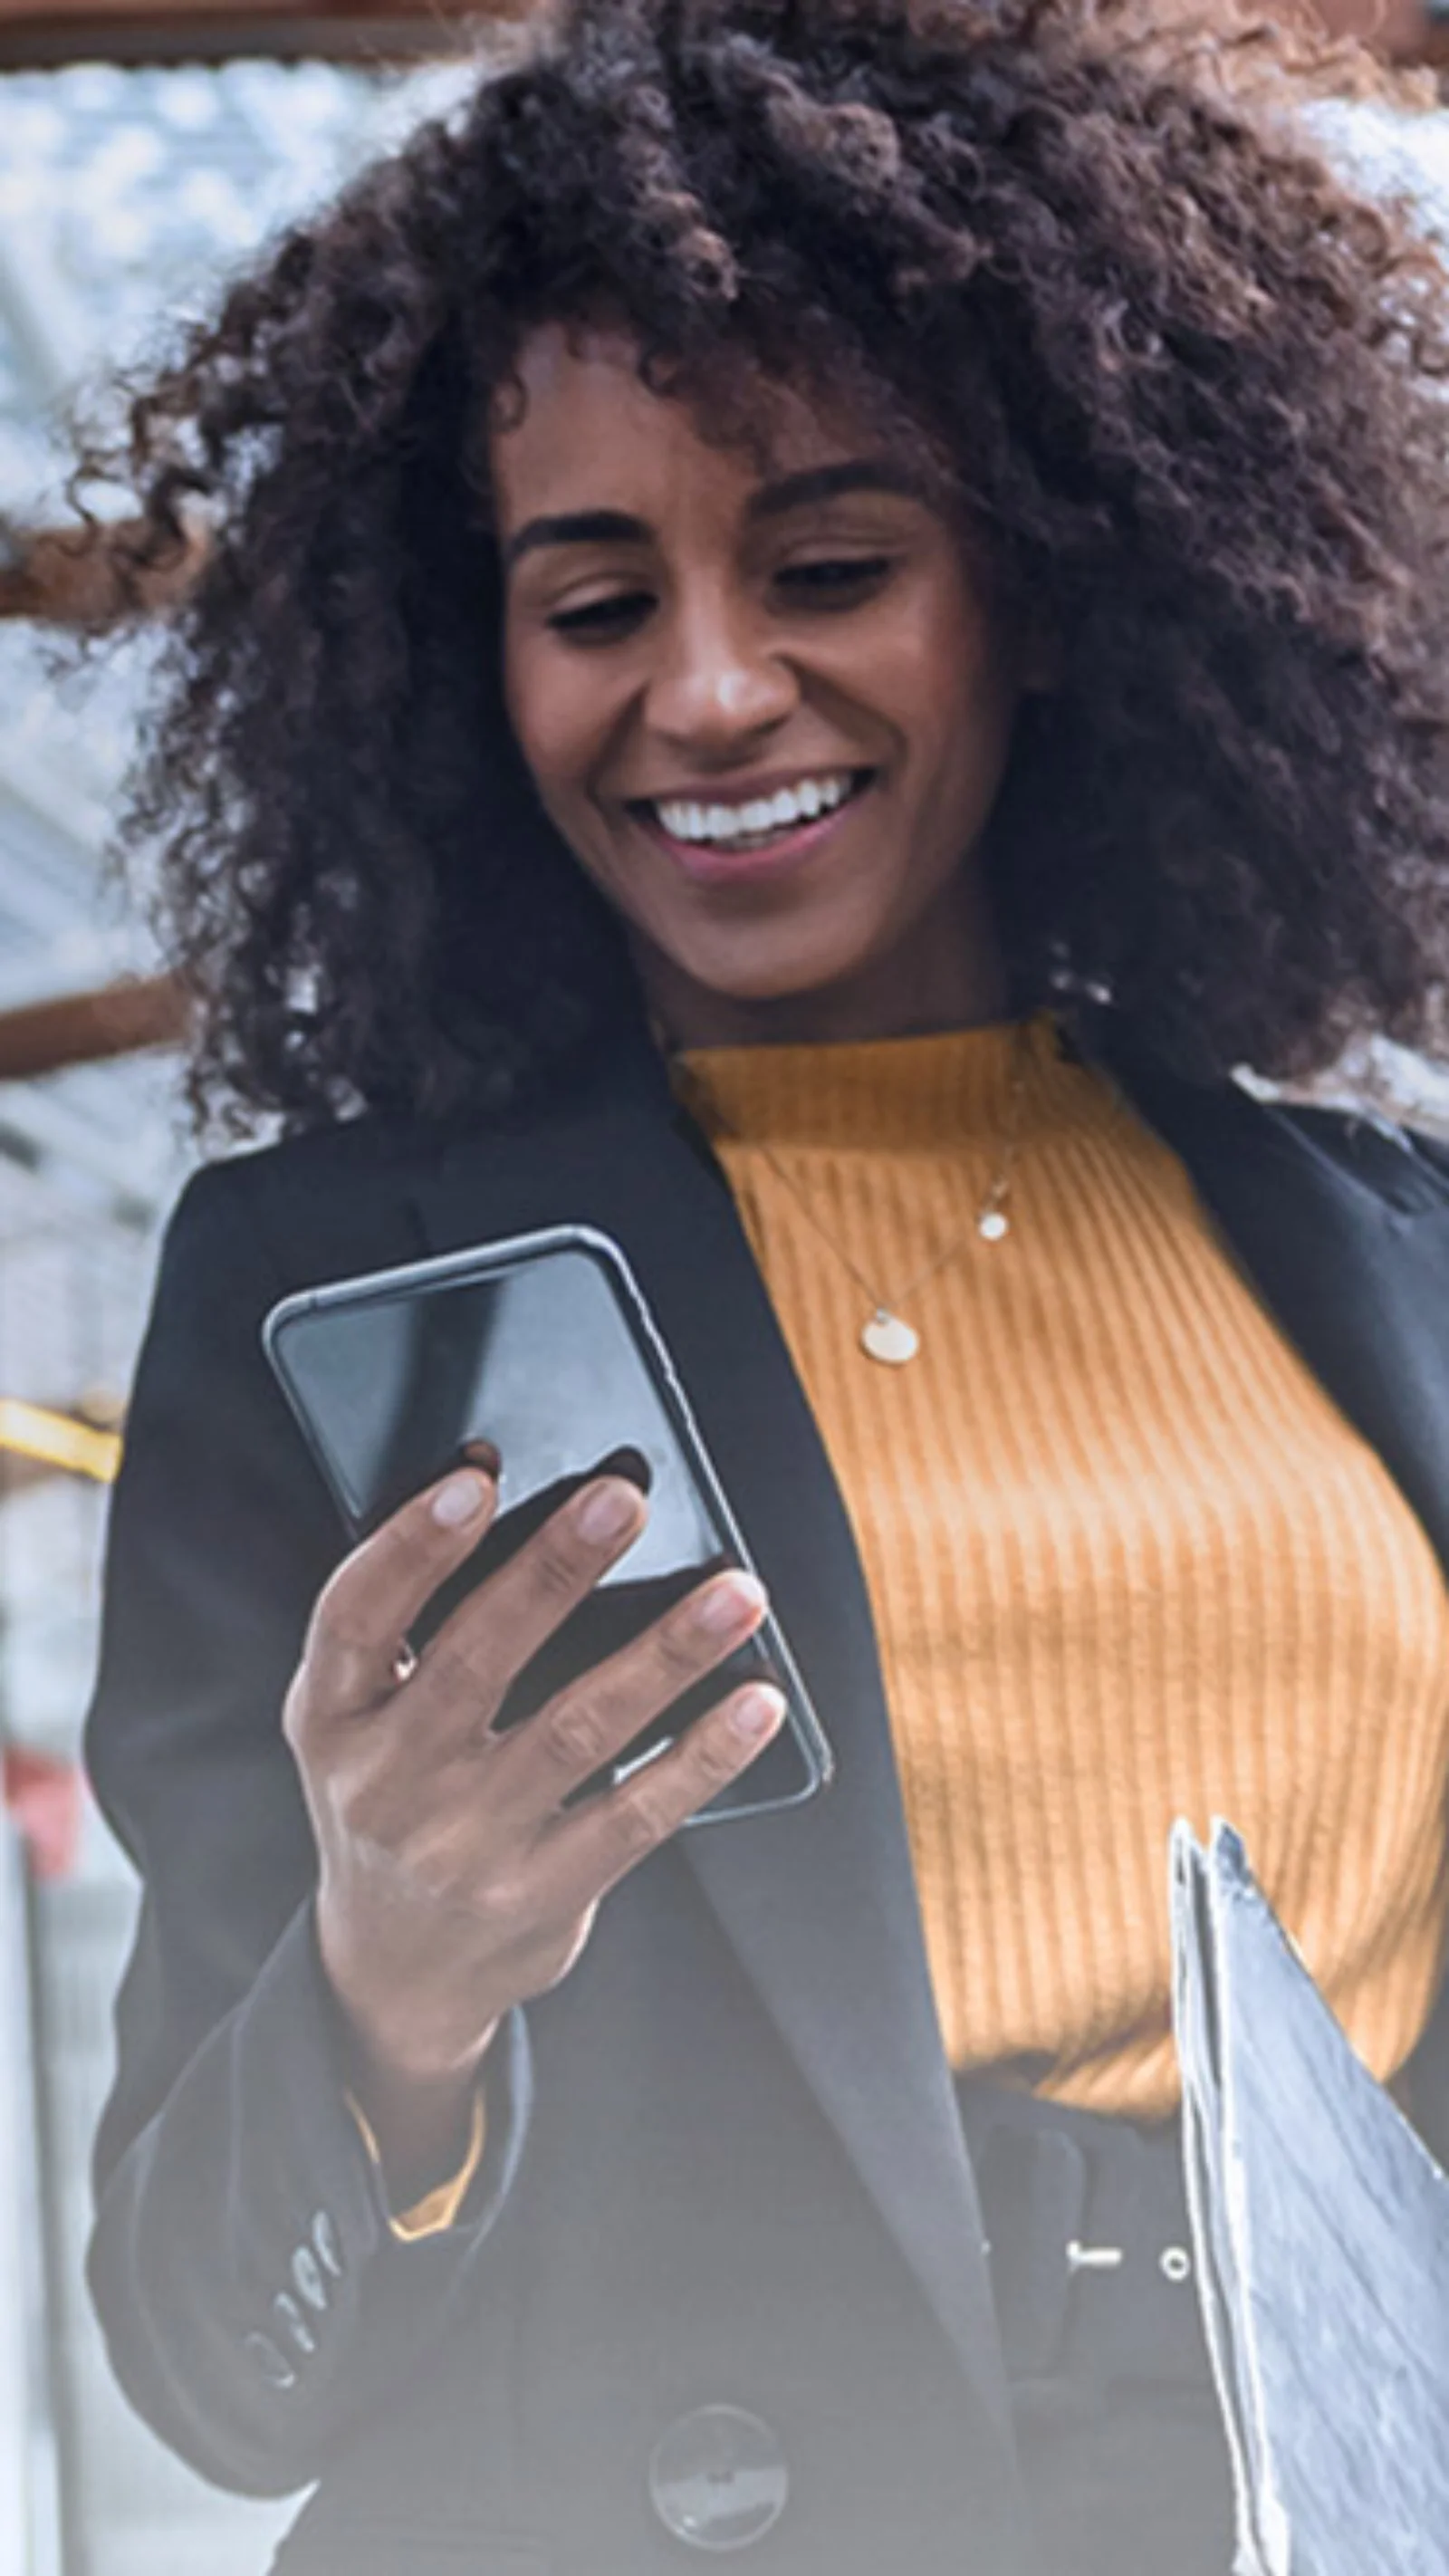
[143, 156]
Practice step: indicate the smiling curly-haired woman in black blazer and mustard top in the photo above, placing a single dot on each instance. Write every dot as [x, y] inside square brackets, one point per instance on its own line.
[817, 617]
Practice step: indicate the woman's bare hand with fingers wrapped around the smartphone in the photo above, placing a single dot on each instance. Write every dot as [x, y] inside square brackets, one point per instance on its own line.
[452, 1877]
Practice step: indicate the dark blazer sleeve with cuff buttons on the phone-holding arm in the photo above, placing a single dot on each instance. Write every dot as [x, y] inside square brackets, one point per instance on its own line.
[254, 2294]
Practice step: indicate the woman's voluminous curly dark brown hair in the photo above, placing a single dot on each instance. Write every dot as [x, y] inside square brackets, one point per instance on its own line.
[1183, 377]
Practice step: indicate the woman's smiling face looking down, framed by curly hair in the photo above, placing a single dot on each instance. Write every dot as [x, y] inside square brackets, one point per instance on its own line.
[768, 710]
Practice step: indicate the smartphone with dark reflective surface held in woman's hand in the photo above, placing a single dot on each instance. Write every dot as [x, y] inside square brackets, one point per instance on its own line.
[547, 1351]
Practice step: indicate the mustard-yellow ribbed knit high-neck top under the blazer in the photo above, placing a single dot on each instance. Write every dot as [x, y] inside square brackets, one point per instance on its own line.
[1126, 1557]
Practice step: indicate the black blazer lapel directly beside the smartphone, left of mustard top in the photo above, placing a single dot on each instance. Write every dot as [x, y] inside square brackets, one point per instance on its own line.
[820, 1902]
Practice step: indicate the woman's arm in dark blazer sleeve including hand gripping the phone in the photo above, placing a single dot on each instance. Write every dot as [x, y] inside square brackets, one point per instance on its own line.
[349, 1884]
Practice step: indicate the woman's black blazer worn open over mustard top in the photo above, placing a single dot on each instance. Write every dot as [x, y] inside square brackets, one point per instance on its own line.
[724, 2160]
